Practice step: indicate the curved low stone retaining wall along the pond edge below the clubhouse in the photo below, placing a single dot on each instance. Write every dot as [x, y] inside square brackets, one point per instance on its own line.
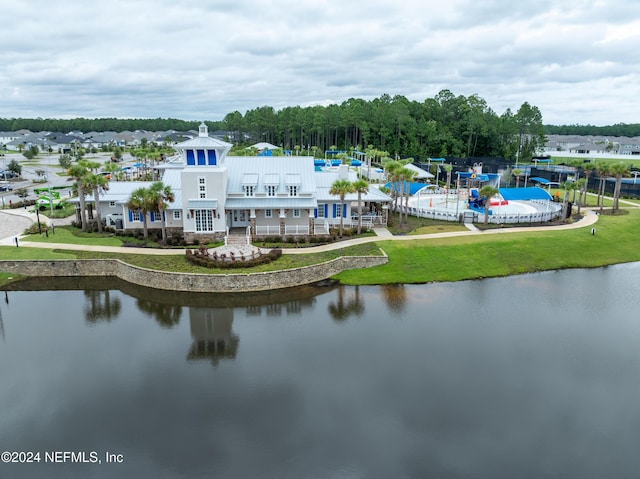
[218, 283]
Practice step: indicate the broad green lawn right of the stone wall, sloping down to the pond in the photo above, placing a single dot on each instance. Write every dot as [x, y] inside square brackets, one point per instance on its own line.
[454, 259]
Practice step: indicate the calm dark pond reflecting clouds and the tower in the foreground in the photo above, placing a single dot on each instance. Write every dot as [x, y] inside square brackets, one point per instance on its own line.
[533, 376]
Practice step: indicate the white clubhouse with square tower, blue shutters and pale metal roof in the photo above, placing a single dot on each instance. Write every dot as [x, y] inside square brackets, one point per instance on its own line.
[265, 195]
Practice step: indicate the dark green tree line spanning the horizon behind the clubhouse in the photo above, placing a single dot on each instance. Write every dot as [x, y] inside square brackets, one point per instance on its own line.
[445, 125]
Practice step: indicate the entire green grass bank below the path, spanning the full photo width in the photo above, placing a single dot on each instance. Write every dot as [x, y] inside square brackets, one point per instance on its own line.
[427, 260]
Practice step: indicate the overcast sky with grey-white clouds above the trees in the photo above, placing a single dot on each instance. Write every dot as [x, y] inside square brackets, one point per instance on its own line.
[576, 60]
